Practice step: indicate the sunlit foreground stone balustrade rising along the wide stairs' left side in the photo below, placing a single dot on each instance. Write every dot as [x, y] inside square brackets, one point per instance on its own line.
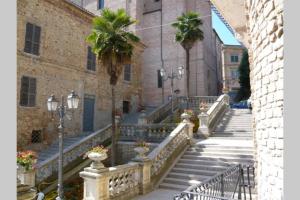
[138, 176]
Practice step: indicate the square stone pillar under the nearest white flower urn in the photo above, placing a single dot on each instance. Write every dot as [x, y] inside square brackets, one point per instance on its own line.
[96, 184]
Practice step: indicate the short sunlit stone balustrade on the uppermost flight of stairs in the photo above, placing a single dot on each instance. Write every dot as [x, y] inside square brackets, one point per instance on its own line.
[209, 119]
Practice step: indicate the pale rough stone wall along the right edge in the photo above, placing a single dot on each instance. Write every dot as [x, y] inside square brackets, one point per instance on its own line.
[265, 28]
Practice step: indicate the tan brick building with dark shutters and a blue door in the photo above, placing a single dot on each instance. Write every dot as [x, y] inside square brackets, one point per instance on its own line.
[54, 58]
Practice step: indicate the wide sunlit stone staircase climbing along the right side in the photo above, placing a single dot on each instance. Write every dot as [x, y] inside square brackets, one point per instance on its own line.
[231, 143]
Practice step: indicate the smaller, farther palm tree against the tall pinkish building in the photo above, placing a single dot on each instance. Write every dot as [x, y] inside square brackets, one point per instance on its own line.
[188, 33]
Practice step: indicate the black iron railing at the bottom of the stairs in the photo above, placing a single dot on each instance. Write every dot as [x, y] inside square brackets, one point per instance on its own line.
[228, 185]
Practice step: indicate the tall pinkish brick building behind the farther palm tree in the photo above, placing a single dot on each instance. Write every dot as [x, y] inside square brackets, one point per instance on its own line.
[154, 27]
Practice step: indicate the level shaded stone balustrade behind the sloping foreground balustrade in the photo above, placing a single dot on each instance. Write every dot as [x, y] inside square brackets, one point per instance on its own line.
[147, 132]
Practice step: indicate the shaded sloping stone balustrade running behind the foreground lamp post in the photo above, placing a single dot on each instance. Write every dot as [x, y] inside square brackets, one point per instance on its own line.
[49, 166]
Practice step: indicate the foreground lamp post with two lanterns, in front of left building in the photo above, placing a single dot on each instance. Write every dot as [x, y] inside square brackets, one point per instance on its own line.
[52, 105]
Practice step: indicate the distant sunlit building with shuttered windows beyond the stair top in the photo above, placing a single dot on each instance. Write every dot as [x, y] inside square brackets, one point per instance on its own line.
[231, 59]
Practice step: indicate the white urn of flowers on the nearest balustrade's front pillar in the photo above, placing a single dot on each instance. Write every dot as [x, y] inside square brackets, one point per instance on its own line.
[97, 155]
